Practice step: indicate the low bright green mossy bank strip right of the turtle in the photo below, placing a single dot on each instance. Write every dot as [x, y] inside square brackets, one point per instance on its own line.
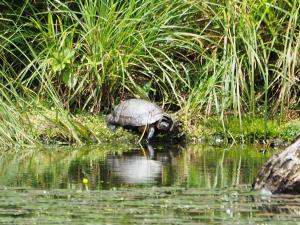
[251, 130]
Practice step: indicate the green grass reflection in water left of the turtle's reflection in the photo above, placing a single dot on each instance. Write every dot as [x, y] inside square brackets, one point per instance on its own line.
[50, 168]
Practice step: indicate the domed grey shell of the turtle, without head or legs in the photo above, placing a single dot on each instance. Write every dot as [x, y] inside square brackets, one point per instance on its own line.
[136, 112]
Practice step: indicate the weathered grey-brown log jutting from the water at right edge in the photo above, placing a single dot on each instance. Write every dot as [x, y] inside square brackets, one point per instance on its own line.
[281, 173]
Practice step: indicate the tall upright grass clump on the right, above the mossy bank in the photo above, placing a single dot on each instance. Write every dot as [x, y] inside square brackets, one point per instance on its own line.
[253, 66]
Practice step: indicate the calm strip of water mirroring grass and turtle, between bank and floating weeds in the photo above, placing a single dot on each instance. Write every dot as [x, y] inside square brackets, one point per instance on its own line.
[108, 166]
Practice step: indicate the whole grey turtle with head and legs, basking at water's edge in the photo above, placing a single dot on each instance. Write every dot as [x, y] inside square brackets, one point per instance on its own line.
[143, 115]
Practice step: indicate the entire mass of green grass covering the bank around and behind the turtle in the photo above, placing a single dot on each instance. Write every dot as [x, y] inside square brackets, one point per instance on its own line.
[203, 58]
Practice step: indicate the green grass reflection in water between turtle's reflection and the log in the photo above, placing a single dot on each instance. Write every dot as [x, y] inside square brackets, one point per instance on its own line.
[211, 167]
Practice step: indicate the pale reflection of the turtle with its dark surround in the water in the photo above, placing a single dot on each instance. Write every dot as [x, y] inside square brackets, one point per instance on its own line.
[134, 168]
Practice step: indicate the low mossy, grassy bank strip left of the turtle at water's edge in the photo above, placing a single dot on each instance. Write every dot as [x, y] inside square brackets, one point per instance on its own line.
[50, 127]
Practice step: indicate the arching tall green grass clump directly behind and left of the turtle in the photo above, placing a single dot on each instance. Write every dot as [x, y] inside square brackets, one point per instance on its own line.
[108, 49]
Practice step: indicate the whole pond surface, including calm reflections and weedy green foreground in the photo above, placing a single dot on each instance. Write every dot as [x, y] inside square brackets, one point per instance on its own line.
[169, 184]
